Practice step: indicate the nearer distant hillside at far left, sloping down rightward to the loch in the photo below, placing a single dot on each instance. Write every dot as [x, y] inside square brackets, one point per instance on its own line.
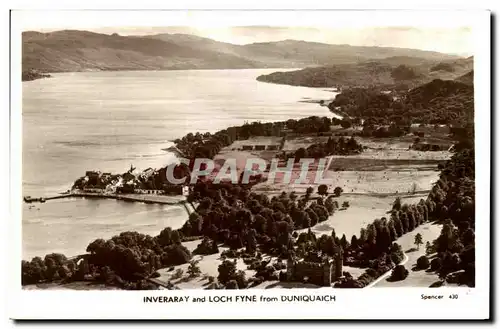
[87, 51]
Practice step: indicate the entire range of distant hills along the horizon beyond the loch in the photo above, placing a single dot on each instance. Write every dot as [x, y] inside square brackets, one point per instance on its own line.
[71, 50]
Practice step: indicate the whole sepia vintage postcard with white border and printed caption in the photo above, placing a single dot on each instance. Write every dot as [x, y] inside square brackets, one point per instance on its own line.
[250, 164]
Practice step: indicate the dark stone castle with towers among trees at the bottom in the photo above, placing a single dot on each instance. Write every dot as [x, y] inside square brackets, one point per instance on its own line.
[320, 273]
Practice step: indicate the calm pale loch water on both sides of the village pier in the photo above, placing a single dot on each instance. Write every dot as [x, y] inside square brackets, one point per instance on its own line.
[107, 121]
